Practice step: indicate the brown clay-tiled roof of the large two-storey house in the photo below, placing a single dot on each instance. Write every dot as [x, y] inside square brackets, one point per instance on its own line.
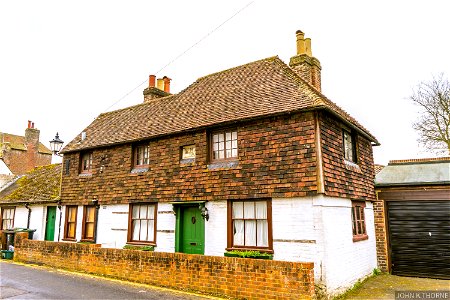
[261, 88]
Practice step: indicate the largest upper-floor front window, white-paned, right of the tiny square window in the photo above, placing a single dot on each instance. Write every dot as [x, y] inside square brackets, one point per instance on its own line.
[224, 145]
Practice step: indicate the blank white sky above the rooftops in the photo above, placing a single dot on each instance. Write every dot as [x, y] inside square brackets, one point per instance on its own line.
[62, 63]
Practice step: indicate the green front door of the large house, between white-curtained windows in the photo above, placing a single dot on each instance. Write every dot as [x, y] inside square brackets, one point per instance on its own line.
[192, 231]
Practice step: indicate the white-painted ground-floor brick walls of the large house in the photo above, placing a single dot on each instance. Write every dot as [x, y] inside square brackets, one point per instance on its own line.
[314, 229]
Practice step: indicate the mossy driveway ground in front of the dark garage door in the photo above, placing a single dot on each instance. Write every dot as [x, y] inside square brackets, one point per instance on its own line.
[384, 286]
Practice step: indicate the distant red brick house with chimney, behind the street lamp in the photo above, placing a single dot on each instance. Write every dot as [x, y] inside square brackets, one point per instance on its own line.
[21, 154]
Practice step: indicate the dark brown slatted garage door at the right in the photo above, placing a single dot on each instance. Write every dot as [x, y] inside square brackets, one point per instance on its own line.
[419, 237]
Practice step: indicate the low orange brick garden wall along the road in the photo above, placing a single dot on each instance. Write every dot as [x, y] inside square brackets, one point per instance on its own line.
[233, 277]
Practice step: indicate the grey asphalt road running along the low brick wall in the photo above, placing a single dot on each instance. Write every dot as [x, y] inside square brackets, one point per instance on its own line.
[20, 281]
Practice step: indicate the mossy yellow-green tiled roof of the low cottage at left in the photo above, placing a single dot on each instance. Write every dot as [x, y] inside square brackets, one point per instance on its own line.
[42, 184]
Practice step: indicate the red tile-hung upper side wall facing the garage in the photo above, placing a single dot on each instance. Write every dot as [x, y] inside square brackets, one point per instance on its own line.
[342, 180]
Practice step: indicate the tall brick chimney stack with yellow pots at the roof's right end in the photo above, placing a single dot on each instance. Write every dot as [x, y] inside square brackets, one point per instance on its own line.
[304, 64]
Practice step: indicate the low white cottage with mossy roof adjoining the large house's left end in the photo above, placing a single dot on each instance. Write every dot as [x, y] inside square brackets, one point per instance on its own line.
[30, 201]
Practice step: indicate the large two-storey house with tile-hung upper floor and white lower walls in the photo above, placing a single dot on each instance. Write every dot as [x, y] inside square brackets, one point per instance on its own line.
[250, 158]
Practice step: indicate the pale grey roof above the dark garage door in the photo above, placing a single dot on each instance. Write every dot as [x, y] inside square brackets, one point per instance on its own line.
[415, 172]
